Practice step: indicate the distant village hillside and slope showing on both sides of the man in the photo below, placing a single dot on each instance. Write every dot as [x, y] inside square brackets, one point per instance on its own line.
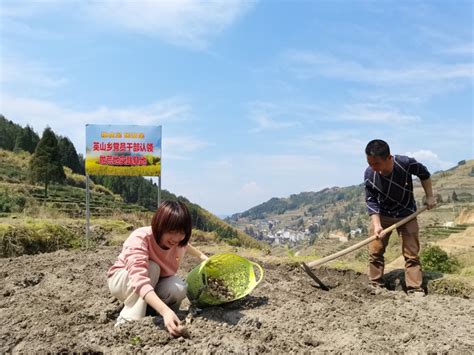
[335, 212]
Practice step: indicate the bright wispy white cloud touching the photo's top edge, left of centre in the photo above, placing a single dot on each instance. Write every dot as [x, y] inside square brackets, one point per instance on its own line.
[187, 23]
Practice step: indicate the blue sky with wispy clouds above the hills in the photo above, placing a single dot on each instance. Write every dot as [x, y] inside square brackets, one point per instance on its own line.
[257, 99]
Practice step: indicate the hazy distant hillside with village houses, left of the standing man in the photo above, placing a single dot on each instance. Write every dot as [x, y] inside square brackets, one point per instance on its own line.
[305, 216]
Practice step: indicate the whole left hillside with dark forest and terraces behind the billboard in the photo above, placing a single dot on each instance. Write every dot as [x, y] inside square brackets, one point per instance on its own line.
[109, 194]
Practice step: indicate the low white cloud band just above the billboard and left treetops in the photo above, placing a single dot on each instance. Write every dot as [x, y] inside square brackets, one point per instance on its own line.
[65, 121]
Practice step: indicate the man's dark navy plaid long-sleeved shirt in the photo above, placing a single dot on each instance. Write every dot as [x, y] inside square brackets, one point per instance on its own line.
[392, 195]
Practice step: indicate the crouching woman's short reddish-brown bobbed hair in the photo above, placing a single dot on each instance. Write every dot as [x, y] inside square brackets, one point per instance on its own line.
[172, 216]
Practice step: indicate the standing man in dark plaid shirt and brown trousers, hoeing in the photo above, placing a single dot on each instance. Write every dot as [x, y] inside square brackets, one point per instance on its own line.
[389, 198]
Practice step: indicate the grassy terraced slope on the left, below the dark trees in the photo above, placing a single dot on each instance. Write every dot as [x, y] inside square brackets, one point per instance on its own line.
[18, 197]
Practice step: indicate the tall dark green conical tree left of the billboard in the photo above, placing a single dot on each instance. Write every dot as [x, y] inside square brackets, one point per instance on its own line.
[45, 164]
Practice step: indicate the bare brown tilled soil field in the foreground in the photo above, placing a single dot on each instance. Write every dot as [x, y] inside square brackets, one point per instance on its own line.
[59, 302]
